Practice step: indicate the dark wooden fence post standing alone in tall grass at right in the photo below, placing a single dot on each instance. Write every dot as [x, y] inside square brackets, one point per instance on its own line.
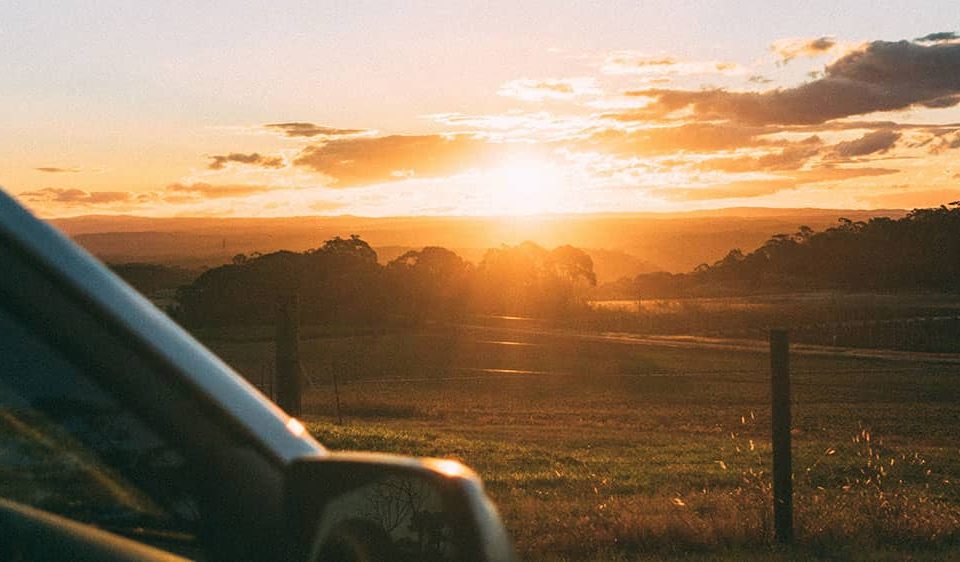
[782, 463]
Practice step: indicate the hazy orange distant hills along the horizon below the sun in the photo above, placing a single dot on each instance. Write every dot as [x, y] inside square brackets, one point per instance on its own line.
[622, 243]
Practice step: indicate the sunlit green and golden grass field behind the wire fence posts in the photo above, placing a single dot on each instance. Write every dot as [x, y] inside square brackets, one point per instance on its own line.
[604, 450]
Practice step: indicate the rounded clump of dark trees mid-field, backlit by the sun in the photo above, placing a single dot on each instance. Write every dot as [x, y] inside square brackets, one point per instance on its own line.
[342, 282]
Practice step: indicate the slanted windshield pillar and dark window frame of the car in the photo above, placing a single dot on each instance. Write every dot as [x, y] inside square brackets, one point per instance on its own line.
[242, 470]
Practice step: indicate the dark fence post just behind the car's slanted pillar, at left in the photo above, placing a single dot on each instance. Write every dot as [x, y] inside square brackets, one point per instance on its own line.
[289, 371]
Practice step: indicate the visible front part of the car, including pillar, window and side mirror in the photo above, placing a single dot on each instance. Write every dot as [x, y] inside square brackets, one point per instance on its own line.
[123, 438]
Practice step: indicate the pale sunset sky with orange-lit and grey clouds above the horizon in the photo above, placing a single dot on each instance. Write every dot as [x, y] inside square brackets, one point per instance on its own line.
[380, 108]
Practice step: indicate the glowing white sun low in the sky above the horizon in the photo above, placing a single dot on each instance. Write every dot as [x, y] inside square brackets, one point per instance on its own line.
[525, 187]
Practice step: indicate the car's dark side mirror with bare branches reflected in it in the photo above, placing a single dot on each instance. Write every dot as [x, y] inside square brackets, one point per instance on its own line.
[359, 507]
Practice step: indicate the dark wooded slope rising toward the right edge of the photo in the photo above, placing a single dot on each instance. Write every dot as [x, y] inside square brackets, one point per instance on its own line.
[918, 252]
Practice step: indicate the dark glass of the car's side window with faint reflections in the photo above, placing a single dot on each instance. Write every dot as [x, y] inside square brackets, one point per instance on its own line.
[69, 447]
